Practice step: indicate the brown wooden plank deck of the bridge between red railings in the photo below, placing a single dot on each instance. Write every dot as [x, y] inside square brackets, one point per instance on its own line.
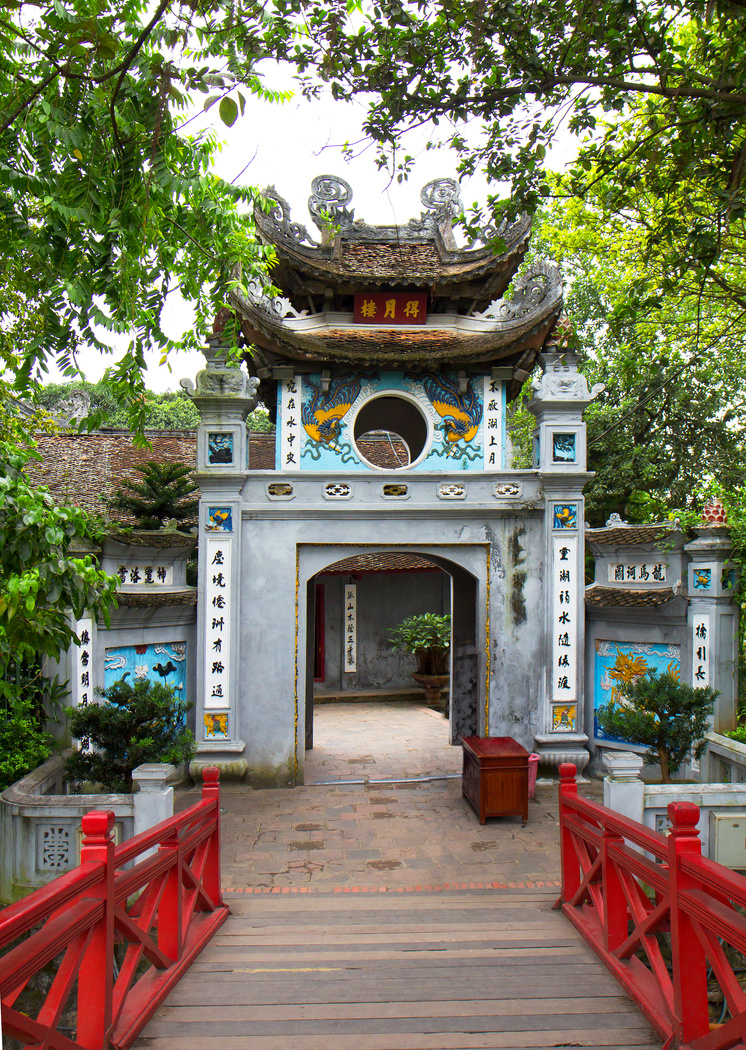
[411, 973]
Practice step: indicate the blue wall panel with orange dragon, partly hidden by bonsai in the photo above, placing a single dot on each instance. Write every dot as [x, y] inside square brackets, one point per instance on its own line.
[618, 663]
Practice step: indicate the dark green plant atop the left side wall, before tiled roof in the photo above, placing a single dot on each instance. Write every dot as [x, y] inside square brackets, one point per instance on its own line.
[165, 493]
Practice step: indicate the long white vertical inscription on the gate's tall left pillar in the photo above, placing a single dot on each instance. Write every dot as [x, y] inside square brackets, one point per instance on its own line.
[218, 624]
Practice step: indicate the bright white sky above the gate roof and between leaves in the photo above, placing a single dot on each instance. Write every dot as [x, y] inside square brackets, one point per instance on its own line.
[287, 145]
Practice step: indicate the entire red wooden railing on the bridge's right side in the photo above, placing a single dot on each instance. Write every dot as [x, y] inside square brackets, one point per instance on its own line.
[665, 920]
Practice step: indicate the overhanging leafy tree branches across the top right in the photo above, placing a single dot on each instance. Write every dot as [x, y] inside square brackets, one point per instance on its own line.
[655, 93]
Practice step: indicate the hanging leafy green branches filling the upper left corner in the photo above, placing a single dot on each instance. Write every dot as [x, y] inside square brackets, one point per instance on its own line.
[106, 205]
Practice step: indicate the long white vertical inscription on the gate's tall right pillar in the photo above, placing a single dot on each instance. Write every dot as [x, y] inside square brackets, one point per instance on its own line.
[565, 632]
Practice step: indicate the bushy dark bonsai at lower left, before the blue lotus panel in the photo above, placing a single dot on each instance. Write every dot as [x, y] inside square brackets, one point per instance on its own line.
[135, 724]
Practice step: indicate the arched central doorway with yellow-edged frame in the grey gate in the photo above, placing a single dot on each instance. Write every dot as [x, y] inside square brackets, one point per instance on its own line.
[391, 583]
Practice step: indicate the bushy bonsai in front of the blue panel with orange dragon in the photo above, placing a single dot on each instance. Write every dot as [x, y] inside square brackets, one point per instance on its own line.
[667, 716]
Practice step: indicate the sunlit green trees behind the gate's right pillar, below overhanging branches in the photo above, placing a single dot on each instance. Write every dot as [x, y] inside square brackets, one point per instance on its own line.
[672, 417]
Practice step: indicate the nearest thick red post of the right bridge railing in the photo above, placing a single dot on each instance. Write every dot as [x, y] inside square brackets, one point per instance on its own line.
[689, 958]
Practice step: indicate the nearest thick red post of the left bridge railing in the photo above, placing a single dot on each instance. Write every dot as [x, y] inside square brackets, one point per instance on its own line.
[96, 975]
